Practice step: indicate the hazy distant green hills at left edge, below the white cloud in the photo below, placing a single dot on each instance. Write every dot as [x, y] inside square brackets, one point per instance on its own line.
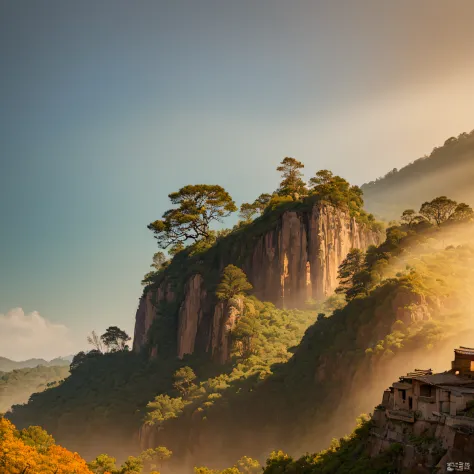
[17, 386]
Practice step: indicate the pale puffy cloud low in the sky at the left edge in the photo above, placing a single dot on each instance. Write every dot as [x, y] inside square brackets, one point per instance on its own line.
[24, 336]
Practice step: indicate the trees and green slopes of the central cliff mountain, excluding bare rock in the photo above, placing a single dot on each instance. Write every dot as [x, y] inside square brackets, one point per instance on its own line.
[106, 396]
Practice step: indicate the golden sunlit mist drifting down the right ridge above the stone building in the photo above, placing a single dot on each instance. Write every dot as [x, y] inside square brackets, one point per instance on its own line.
[367, 381]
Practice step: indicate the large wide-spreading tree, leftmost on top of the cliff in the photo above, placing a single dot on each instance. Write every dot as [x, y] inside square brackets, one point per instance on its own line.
[197, 207]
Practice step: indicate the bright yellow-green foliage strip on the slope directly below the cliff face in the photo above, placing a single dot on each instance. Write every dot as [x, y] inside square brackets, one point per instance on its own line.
[262, 338]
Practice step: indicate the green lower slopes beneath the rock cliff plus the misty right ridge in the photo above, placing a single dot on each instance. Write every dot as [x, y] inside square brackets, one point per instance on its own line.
[288, 393]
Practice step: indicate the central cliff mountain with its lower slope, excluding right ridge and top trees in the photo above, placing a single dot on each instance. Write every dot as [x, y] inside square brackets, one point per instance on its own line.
[291, 253]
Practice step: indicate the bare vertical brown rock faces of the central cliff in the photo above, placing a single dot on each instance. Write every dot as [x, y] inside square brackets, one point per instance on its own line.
[296, 259]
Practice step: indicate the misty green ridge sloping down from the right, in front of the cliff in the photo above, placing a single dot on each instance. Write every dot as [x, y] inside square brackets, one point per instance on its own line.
[415, 294]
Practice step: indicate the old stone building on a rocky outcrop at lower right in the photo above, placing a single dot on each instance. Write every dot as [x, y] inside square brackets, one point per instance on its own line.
[430, 415]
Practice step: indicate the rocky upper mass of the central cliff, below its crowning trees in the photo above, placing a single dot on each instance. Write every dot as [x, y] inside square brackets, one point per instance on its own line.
[289, 256]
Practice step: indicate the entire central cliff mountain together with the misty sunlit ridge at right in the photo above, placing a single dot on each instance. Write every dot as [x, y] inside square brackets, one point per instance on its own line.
[217, 372]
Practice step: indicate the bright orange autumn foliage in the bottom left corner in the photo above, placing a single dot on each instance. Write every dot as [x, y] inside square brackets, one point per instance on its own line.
[16, 457]
